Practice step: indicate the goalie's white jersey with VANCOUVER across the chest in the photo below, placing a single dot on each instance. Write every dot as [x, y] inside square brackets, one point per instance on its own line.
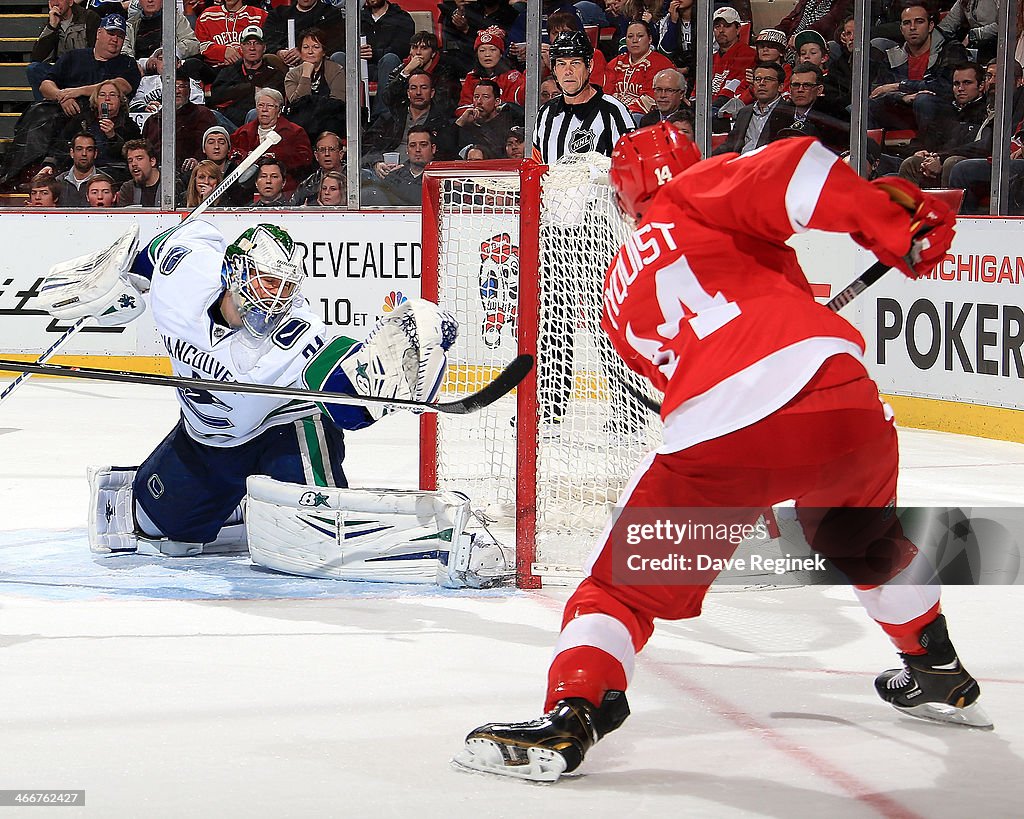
[187, 284]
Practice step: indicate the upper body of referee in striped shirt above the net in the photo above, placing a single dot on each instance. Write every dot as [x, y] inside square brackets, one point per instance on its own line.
[584, 119]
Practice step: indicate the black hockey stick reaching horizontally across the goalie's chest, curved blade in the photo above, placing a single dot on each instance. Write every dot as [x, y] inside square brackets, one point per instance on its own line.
[506, 381]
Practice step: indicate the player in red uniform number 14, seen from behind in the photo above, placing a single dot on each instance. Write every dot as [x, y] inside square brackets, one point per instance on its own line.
[766, 400]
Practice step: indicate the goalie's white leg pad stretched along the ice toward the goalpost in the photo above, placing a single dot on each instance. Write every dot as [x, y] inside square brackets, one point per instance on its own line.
[377, 536]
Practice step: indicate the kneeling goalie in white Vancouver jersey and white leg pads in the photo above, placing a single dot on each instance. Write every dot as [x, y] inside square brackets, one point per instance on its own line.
[255, 471]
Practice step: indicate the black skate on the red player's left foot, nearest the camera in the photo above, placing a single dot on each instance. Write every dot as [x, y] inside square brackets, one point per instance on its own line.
[545, 749]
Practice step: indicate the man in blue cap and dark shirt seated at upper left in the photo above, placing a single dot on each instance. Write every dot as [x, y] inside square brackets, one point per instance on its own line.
[77, 74]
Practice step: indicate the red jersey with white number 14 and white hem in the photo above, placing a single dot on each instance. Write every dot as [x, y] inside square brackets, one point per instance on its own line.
[708, 301]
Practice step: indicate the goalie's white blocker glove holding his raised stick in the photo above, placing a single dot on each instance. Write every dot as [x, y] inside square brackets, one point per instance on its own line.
[98, 286]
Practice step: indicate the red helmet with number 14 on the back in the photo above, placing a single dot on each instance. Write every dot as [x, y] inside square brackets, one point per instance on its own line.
[646, 160]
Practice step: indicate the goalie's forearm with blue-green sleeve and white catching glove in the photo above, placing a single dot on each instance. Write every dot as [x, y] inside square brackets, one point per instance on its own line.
[406, 358]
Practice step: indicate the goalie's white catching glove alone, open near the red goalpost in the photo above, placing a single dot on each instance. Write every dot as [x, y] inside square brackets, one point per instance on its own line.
[406, 355]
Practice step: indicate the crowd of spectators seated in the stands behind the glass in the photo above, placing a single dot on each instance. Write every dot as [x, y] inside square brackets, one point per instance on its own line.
[459, 92]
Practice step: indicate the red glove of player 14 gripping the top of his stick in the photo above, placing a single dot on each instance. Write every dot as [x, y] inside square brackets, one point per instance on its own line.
[931, 229]
